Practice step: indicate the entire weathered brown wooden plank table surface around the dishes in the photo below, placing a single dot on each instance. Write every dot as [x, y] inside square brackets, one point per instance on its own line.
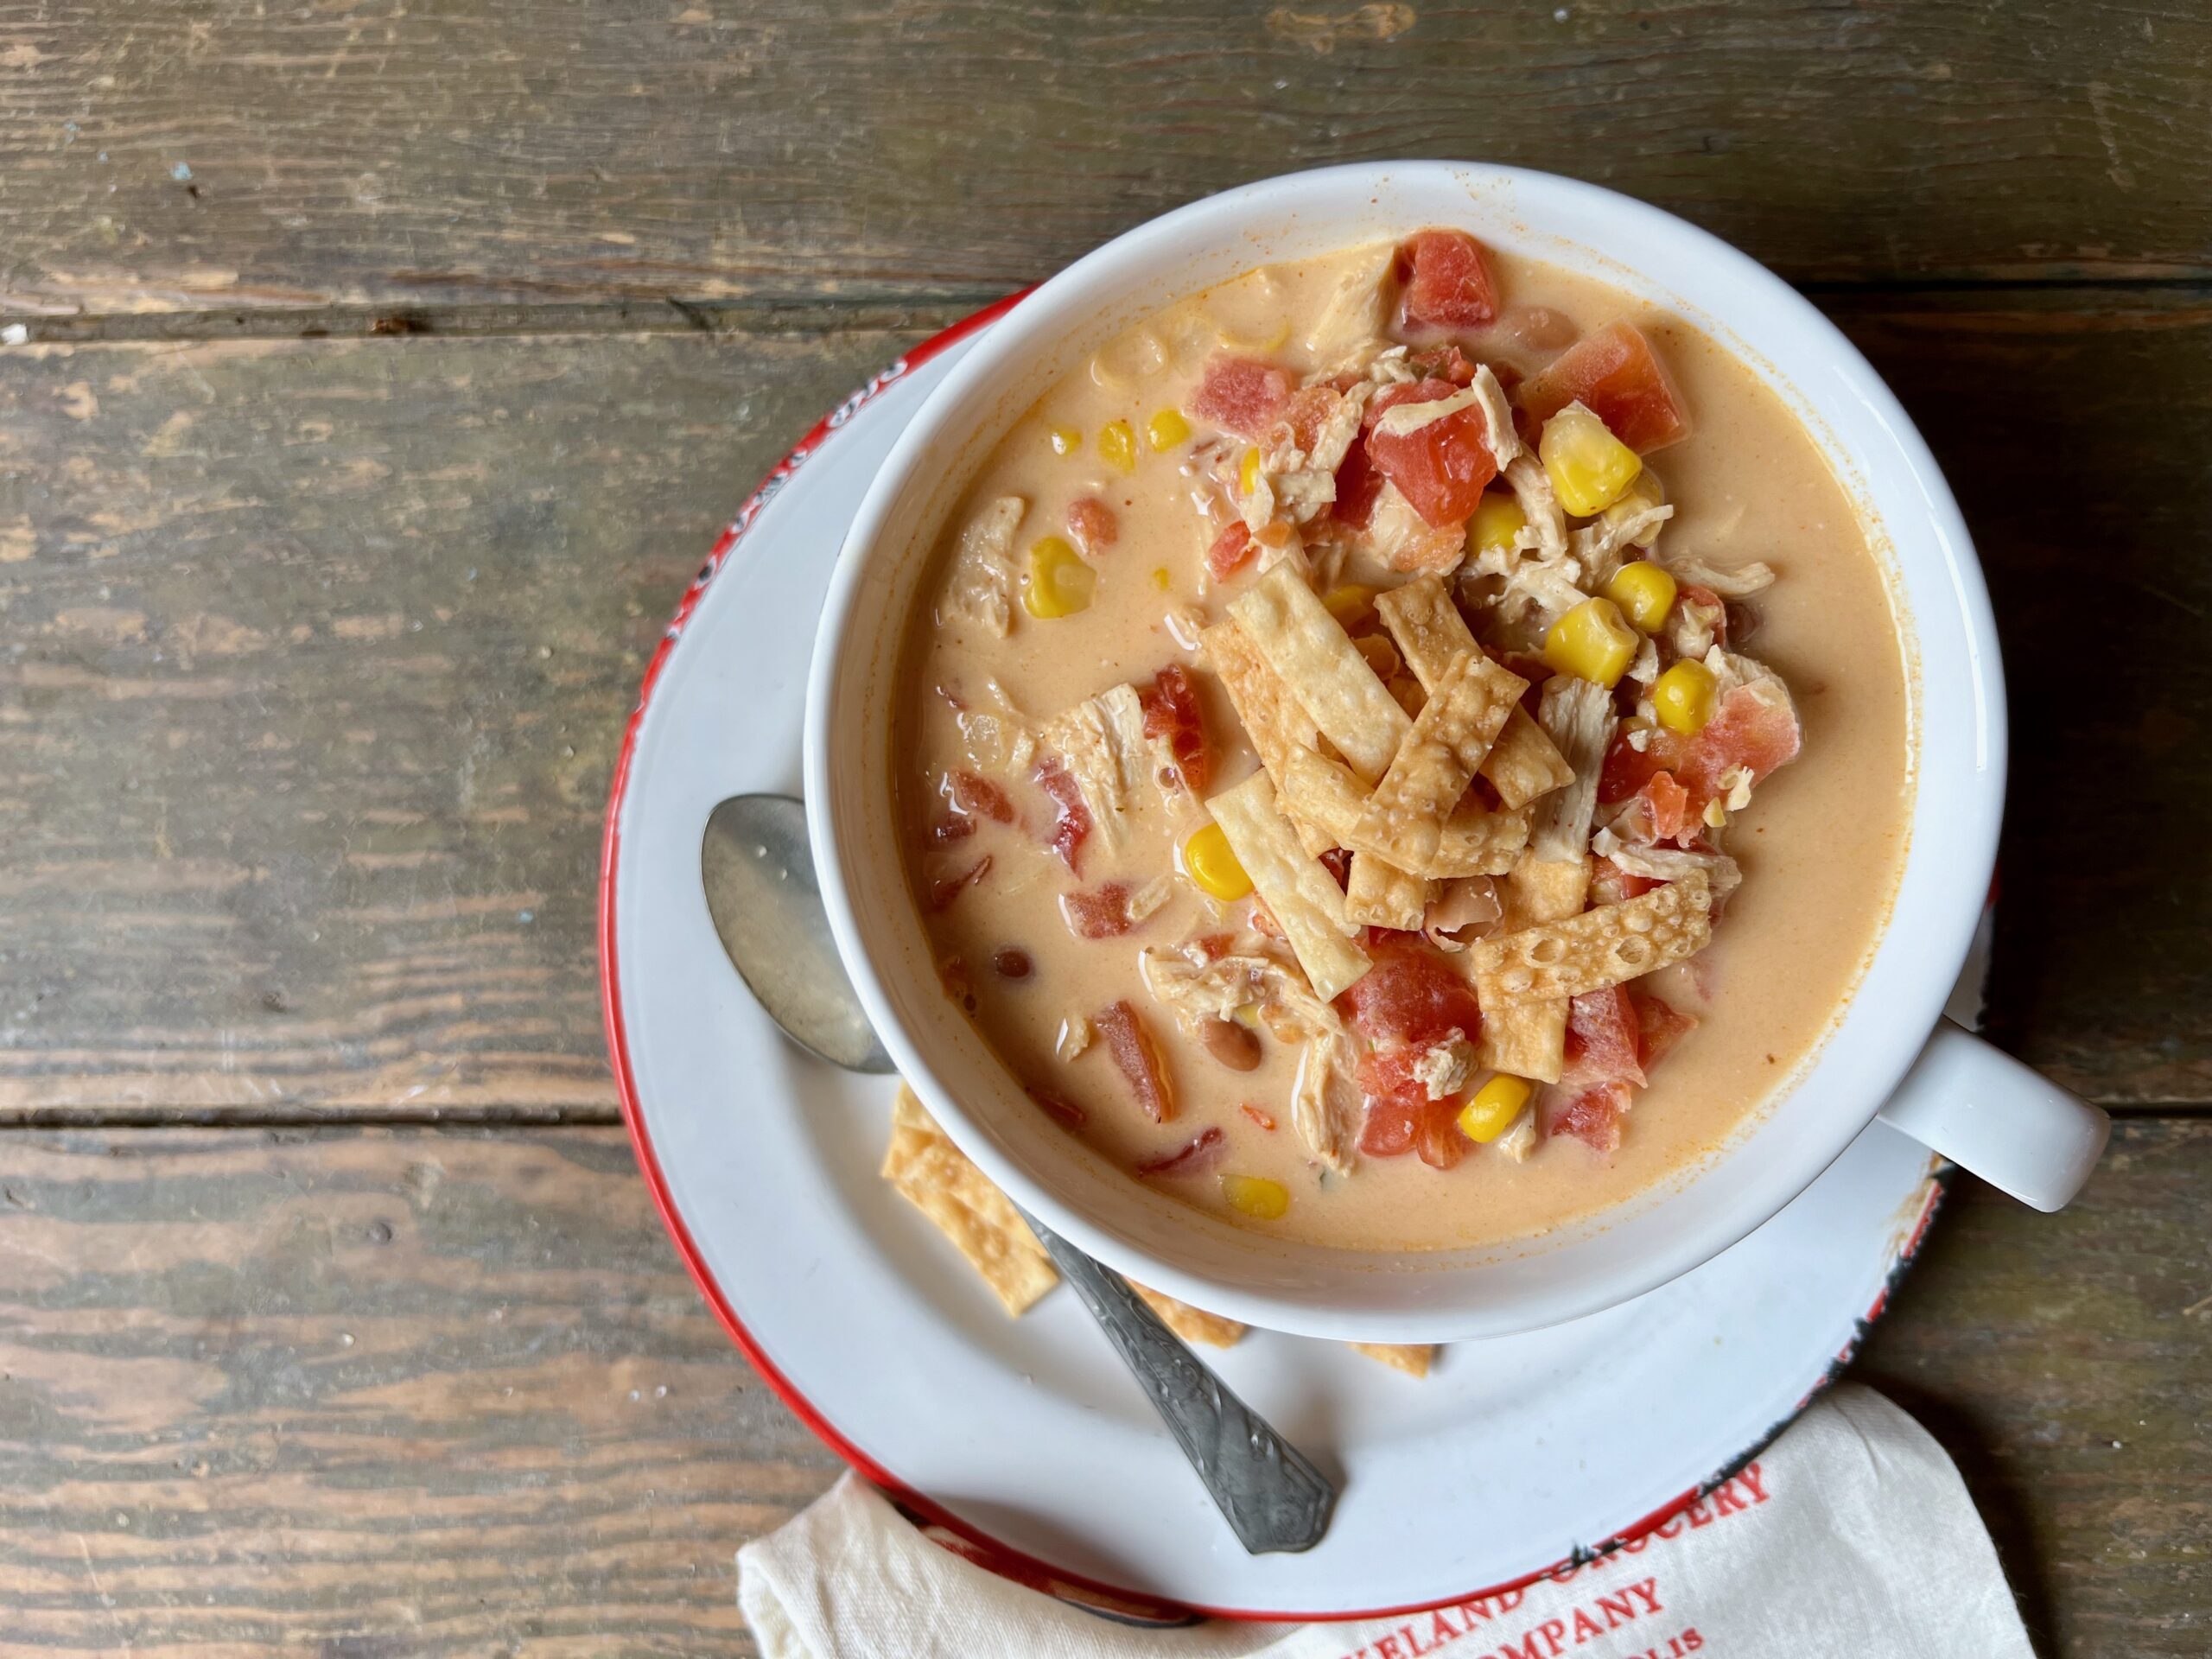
[388, 373]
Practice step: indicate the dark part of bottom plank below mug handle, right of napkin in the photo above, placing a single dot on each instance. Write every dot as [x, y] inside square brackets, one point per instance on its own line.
[2067, 1368]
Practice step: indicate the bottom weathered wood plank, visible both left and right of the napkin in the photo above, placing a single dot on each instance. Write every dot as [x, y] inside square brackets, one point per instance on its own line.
[351, 1388]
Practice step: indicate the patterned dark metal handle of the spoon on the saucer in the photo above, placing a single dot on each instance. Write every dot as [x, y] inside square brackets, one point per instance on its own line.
[1266, 1490]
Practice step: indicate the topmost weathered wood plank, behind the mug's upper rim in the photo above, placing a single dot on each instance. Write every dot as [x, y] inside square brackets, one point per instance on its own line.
[233, 156]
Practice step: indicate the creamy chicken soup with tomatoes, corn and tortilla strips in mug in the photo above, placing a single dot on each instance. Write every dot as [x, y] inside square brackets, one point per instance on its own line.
[1404, 749]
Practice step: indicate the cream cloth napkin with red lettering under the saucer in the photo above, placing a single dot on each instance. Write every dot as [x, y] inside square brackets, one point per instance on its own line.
[1850, 1538]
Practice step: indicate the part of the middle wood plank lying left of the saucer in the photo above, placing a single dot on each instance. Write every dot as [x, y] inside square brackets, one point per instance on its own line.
[313, 676]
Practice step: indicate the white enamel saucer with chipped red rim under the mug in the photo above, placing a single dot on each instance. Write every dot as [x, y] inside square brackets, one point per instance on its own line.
[1025, 1439]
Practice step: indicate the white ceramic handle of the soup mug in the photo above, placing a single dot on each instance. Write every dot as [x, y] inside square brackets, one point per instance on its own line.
[1992, 1116]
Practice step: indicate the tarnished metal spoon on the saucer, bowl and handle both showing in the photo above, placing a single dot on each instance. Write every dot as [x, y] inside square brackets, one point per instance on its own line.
[769, 912]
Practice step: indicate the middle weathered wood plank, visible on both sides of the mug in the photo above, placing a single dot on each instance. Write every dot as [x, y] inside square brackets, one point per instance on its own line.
[317, 656]
